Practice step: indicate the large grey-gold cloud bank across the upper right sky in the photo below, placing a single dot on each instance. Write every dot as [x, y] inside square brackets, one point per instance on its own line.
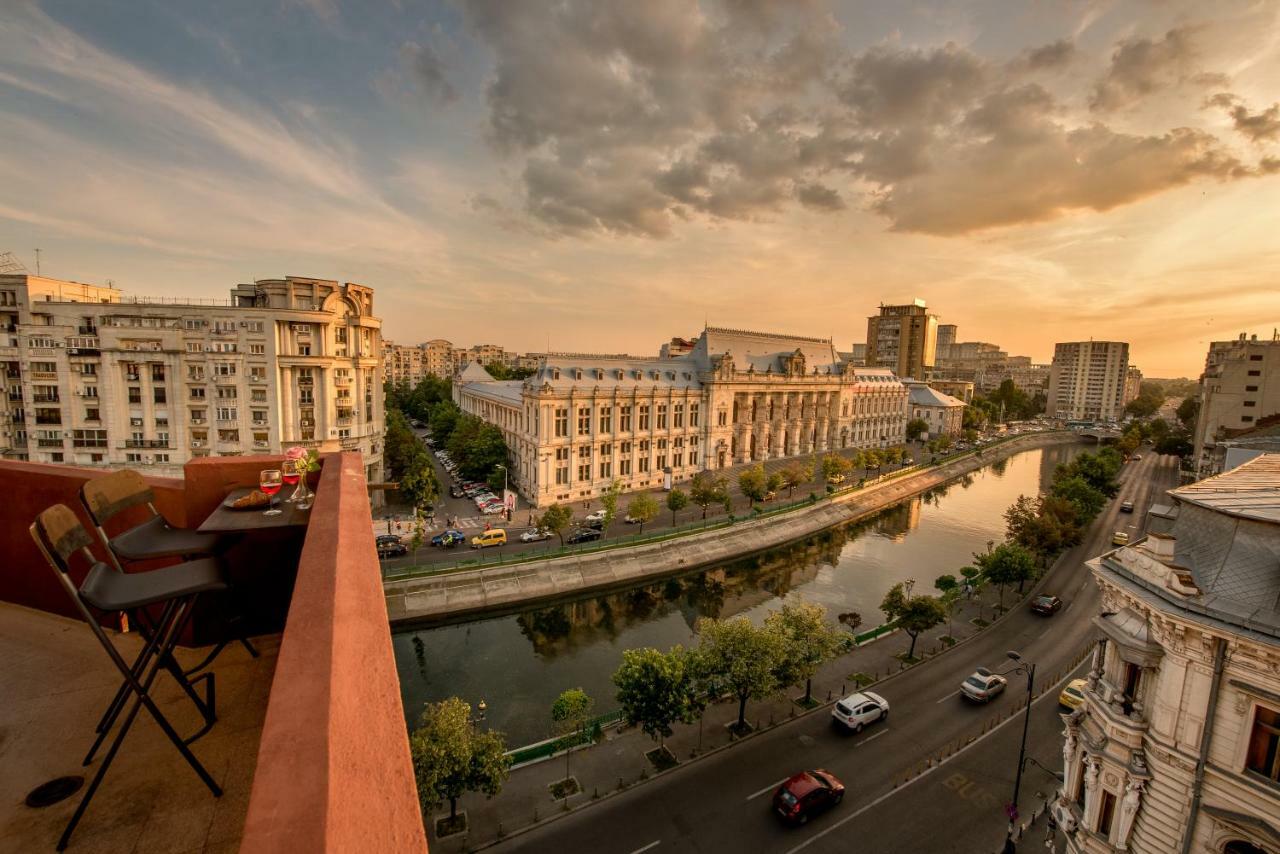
[633, 118]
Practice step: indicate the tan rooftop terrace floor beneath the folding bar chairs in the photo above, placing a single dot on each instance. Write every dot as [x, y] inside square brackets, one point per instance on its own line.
[57, 681]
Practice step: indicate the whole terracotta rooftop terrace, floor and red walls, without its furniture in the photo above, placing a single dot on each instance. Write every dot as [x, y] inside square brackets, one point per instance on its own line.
[310, 746]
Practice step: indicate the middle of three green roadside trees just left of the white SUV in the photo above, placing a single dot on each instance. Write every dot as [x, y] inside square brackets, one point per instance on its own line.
[742, 657]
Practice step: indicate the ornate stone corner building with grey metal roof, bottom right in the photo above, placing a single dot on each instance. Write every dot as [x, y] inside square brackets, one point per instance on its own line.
[1177, 746]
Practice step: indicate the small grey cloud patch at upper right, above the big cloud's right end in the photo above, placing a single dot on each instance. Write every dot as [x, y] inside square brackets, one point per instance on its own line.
[1141, 67]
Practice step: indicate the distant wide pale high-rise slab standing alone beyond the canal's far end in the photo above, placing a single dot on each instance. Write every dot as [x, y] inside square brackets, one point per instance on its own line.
[1087, 381]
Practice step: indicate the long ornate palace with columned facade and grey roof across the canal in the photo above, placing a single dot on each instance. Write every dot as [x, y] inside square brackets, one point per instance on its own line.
[583, 422]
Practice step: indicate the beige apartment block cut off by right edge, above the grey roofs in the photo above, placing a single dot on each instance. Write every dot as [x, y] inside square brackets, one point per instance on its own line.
[1240, 392]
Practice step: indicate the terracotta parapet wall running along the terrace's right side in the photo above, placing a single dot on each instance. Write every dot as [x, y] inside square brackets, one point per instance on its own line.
[333, 769]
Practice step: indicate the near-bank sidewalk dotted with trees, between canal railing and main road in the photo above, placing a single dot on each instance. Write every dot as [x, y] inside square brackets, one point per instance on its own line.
[619, 761]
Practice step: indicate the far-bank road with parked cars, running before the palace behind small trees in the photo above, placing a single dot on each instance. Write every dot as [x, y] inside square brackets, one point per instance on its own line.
[472, 522]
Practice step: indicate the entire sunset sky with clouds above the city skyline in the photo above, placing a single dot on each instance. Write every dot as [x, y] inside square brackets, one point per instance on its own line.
[600, 176]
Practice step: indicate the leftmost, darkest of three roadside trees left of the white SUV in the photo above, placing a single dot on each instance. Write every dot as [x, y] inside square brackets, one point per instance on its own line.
[657, 689]
